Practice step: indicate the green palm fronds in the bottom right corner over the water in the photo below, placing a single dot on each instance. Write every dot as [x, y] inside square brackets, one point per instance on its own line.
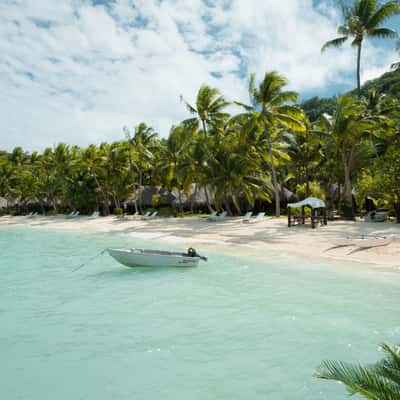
[380, 381]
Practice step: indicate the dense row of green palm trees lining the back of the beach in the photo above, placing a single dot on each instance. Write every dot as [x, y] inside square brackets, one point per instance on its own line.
[344, 157]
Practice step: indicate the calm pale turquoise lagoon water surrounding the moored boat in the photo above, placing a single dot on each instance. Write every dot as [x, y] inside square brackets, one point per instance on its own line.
[229, 329]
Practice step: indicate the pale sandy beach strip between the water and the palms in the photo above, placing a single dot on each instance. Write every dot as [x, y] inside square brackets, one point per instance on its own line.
[232, 236]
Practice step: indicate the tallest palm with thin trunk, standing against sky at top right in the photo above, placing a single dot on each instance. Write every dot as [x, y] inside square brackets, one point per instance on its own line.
[363, 19]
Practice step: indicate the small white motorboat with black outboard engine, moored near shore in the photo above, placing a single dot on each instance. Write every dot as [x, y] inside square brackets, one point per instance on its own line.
[156, 258]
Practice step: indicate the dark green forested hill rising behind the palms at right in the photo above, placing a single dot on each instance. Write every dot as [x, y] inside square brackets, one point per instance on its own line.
[388, 83]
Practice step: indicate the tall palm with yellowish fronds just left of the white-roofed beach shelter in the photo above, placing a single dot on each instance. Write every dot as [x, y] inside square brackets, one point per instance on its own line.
[270, 111]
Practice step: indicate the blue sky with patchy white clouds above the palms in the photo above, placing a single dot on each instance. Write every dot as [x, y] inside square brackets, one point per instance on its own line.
[78, 71]
